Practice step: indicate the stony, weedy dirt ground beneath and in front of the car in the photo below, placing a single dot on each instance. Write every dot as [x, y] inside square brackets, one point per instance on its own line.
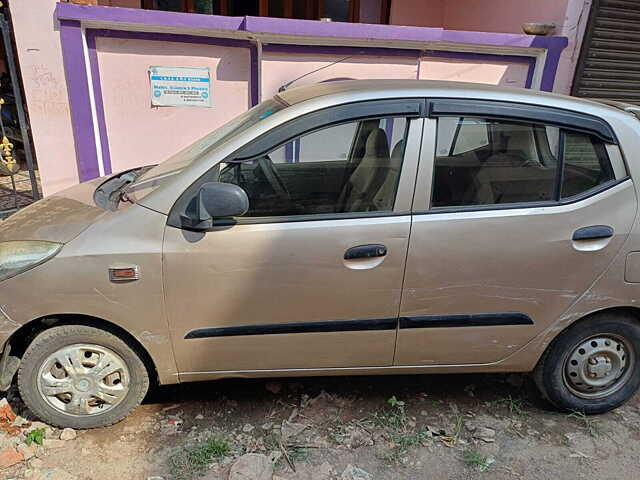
[402, 427]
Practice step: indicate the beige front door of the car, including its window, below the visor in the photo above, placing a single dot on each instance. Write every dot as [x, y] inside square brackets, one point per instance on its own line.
[311, 277]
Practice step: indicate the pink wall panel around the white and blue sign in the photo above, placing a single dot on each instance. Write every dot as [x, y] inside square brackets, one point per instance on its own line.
[140, 134]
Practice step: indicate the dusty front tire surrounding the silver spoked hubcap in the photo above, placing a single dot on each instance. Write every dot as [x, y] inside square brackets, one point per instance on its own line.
[53, 339]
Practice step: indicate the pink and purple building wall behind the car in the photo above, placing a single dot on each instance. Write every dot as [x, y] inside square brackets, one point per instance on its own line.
[86, 68]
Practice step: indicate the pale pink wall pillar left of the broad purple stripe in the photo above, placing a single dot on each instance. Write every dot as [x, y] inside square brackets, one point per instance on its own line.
[38, 48]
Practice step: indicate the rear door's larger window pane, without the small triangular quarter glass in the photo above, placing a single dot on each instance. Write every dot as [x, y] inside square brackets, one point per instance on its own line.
[489, 162]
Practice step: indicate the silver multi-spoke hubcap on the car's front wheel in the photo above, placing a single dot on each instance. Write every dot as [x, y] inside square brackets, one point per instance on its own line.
[83, 379]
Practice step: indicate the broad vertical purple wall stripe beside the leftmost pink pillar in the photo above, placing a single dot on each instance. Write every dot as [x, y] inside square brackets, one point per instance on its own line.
[78, 90]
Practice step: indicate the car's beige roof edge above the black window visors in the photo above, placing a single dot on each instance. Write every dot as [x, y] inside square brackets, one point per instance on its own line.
[372, 89]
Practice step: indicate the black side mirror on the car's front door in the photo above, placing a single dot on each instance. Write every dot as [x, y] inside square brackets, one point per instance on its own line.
[214, 200]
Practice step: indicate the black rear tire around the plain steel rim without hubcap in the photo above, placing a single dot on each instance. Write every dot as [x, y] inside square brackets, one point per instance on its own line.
[549, 374]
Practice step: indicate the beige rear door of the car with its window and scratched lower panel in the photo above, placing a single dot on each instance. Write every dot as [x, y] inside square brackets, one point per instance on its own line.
[514, 221]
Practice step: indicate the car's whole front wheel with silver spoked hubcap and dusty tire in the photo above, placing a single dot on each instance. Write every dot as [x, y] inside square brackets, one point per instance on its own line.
[81, 377]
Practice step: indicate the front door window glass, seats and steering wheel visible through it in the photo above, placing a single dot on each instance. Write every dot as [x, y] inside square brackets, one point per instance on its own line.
[345, 168]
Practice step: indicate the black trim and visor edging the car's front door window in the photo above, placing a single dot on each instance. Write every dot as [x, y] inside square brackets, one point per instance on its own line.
[407, 107]
